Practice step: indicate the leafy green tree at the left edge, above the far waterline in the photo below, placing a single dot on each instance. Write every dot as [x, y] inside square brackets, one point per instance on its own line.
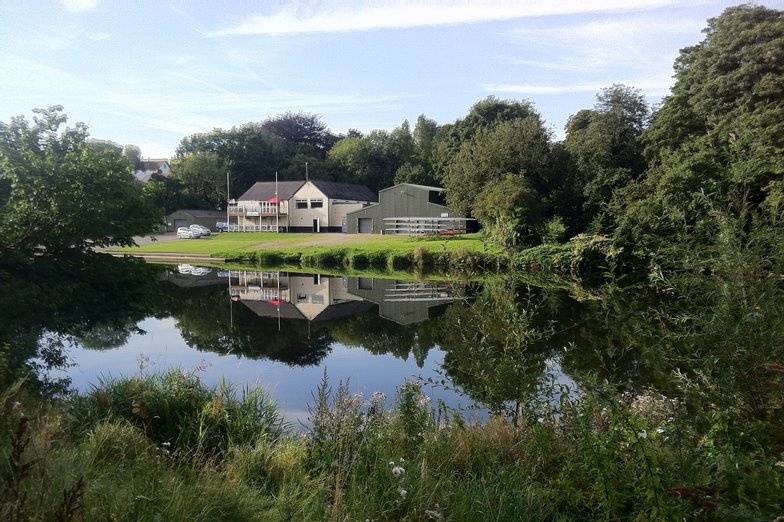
[61, 193]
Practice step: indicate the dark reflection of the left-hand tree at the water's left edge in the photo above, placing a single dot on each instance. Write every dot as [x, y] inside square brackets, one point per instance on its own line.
[46, 304]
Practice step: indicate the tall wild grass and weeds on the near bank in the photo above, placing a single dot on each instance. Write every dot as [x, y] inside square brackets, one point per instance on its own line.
[166, 448]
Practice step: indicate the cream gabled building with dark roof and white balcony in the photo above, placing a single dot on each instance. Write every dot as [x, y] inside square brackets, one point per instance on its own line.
[298, 206]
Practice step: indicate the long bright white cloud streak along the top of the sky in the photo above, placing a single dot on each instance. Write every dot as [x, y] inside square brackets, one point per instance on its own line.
[337, 16]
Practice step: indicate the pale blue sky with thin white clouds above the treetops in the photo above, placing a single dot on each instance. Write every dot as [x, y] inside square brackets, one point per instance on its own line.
[151, 72]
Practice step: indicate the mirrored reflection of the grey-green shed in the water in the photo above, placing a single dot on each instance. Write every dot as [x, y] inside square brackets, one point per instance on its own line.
[406, 302]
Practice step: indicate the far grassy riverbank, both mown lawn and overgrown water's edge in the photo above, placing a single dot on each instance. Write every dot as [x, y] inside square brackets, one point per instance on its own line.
[467, 254]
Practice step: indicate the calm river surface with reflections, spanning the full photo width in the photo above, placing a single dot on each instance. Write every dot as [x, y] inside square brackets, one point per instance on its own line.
[506, 343]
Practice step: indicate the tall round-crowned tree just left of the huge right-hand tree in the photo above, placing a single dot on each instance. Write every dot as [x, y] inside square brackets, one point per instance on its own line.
[606, 146]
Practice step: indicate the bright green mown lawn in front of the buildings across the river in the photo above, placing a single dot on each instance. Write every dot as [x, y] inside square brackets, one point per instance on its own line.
[233, 244]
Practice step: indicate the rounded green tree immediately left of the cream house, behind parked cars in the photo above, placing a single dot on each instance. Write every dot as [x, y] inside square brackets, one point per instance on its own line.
[203, 177]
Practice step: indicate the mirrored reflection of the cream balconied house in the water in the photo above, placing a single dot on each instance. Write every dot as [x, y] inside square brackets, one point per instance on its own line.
[284, 295]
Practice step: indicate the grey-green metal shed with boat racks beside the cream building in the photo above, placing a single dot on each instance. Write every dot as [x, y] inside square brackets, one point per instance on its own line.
[407, 209]
